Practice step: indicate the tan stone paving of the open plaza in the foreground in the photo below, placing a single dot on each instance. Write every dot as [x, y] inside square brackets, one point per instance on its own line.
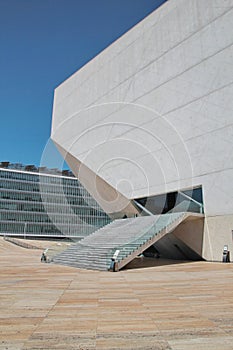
[179, 306]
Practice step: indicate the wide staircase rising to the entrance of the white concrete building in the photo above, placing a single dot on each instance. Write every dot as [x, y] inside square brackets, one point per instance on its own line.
[127, 237]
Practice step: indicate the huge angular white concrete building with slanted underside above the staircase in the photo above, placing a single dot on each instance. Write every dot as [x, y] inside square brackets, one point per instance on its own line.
[153, 113]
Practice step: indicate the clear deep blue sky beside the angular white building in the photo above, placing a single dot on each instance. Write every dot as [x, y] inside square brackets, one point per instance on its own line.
[43, 42]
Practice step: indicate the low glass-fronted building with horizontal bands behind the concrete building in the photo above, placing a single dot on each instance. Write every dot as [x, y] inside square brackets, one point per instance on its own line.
[45, 205]
